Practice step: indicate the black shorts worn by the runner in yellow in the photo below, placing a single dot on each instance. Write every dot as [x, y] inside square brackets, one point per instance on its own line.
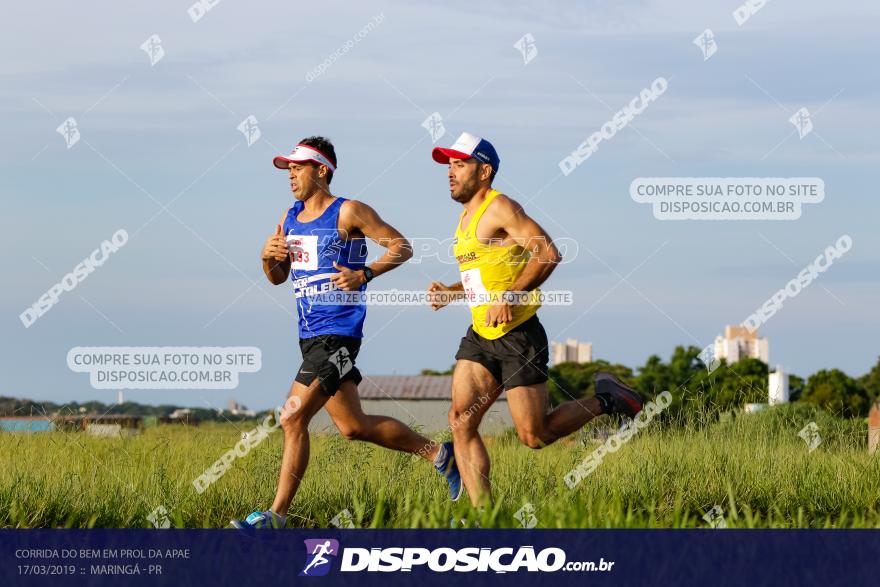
[518, 358]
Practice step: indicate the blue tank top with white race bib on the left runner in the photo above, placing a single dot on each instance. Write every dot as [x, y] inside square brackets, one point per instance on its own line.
[313, 247]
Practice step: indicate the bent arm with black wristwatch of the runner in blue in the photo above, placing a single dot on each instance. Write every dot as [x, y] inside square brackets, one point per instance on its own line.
[357, 217]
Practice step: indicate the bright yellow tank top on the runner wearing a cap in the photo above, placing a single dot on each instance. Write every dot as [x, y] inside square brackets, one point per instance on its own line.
[487, 271]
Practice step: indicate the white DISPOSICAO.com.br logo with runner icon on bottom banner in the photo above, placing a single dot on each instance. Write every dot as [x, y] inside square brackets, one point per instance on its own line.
[443, 559]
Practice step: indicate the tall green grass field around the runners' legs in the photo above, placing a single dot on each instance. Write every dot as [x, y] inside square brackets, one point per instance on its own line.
[755, 466]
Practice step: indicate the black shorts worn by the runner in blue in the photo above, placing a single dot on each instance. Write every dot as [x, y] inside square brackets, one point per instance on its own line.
[330, 358]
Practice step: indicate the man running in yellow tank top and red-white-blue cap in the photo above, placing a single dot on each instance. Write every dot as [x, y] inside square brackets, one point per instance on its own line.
[504, 256]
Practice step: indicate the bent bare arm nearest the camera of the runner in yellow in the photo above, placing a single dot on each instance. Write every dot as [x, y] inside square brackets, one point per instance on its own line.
[510, 218]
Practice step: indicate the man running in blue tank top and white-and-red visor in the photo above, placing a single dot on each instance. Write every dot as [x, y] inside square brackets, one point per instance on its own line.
[321, 244]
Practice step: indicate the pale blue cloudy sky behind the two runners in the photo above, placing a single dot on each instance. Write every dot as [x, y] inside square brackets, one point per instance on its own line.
[192, 275]
